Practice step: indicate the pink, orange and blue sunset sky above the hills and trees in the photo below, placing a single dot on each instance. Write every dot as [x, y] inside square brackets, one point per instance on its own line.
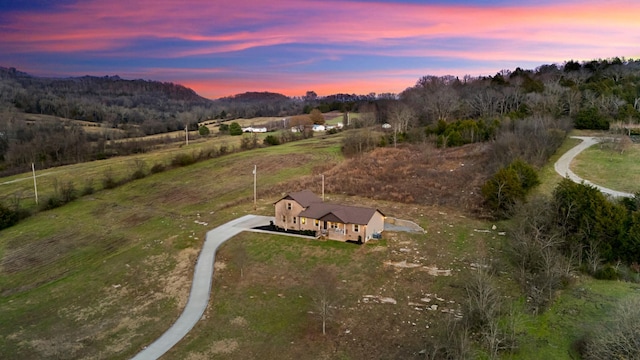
[222, 47]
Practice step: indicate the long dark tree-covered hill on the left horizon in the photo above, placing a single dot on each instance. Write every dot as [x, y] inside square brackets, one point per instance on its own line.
[107, 99]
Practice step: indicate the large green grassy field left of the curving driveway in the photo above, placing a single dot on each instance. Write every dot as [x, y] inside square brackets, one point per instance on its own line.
[109, 272]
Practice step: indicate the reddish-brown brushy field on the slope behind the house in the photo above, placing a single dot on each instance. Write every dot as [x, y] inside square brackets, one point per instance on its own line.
[412, 174]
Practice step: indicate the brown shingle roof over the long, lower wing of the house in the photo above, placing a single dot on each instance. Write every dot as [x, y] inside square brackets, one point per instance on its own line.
[342, 213]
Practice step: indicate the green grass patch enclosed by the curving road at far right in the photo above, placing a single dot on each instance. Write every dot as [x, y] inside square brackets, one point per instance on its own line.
[607, 167]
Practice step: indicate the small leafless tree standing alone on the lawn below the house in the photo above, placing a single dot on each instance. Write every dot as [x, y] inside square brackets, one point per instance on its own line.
[325, 286]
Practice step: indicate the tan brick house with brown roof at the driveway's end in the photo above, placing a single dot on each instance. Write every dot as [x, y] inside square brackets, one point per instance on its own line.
[304, 211]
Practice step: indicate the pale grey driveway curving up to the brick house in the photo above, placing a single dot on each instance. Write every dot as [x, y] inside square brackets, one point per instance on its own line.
[201, 286]
